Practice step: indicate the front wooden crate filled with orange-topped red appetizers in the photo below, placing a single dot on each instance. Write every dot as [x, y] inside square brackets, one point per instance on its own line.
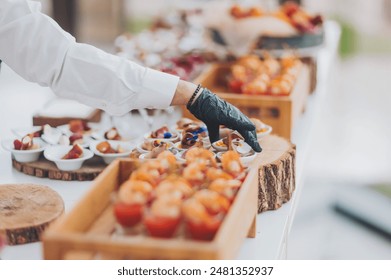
[162, 209]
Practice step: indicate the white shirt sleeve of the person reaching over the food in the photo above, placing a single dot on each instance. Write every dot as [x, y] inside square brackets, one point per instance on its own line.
[35, 47]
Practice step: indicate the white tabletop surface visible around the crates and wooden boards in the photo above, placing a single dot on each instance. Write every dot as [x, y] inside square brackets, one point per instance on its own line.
[273, 227]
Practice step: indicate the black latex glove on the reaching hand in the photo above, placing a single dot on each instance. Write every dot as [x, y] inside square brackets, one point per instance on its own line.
[214, 111]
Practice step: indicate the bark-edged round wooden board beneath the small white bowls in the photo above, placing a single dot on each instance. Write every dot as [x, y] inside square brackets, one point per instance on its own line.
[47, 169]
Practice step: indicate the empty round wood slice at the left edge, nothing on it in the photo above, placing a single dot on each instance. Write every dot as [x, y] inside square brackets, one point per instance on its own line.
[26, 210]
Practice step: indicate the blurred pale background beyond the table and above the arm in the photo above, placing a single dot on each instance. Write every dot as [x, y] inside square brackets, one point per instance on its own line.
[350, 150]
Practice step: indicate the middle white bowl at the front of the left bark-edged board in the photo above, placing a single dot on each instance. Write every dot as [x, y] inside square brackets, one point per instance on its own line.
[55, 154]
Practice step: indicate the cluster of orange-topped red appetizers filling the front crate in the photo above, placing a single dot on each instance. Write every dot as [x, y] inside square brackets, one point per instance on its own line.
[163, 198]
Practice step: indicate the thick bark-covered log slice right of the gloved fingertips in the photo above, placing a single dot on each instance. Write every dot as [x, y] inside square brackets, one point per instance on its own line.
[277, 172]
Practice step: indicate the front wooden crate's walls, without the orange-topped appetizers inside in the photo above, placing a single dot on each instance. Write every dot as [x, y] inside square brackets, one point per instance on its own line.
[87, 232]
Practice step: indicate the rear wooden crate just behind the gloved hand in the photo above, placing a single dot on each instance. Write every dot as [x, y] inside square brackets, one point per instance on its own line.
[278, 111]
